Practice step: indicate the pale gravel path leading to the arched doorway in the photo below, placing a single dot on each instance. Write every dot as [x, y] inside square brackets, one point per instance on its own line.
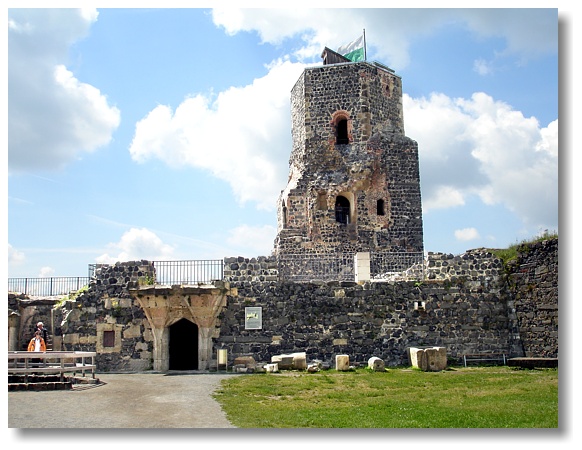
[144, 400]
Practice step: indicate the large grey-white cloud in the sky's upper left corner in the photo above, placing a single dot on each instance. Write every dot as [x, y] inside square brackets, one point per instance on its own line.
[52, 117]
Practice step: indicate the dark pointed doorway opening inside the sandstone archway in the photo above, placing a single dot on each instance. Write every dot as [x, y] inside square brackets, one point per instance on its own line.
[183, 345]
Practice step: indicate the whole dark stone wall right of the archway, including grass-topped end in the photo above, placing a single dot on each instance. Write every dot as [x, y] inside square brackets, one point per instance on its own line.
[465, 303]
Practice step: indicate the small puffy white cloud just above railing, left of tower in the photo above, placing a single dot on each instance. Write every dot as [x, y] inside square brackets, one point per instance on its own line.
[137, 244]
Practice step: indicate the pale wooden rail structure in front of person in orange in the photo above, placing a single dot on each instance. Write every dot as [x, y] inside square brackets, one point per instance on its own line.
[51, 363]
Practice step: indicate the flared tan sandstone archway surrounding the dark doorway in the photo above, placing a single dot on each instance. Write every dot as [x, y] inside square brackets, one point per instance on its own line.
[167, 305]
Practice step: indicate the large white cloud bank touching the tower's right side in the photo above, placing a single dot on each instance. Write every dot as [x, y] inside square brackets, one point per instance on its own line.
[483, 147]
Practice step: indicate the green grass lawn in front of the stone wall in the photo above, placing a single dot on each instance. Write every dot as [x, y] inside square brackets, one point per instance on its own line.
[477, 397]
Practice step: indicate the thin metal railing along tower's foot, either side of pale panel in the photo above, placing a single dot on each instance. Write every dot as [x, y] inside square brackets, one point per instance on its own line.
[340, 266]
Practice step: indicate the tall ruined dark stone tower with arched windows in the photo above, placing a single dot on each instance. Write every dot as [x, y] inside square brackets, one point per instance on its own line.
[354, 182]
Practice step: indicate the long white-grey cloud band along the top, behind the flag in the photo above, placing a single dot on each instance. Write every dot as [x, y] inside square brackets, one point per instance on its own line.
[525, 32]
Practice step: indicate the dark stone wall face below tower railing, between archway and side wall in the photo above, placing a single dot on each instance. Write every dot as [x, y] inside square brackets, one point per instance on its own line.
[379, 319]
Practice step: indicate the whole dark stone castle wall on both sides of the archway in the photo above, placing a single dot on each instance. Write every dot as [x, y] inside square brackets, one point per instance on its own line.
[467, 303]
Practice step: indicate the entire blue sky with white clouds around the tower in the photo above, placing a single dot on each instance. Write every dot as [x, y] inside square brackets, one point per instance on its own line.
[165, 134]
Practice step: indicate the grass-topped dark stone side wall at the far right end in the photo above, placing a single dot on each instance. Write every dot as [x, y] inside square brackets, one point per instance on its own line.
[533, 282]
